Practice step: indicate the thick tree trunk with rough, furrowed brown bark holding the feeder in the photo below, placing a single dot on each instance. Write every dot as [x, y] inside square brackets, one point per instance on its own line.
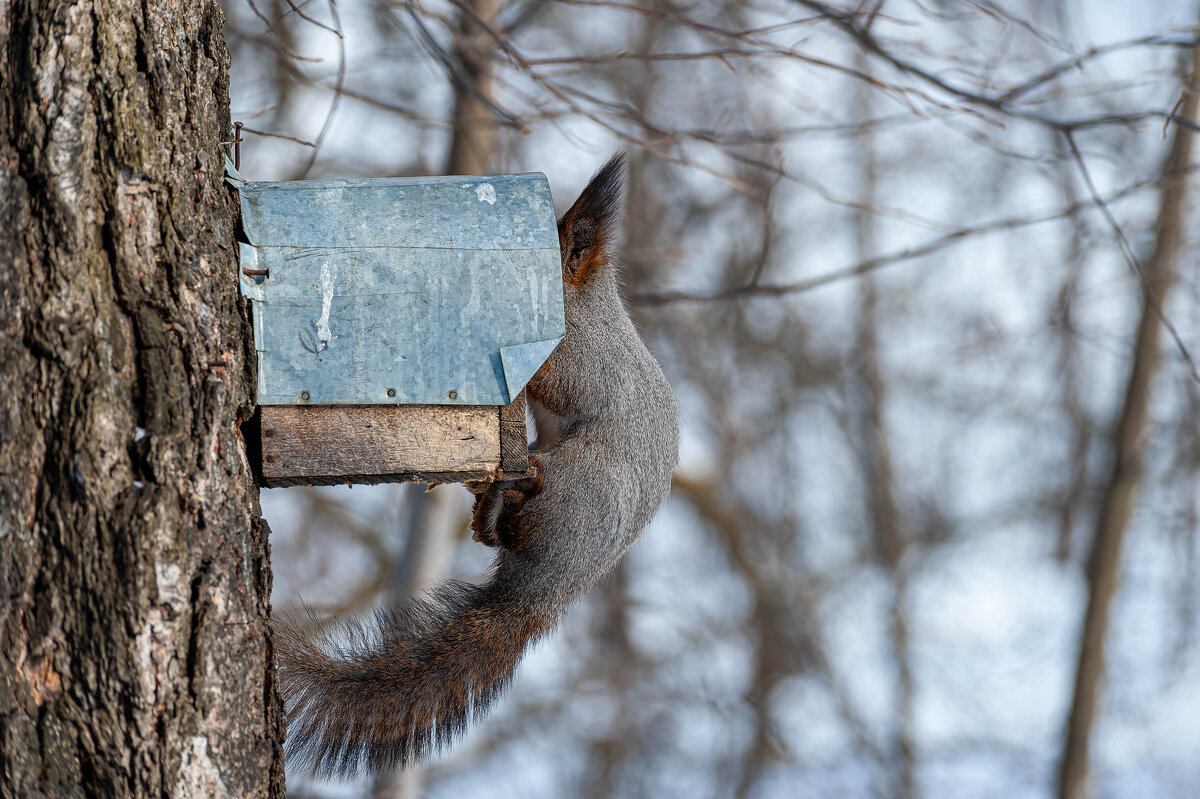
[135, 648]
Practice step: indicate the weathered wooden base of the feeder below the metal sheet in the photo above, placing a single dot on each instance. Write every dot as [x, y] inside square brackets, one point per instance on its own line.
[370, 444]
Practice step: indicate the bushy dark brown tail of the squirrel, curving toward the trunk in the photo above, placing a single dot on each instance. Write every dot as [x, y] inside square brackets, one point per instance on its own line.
[394, 689]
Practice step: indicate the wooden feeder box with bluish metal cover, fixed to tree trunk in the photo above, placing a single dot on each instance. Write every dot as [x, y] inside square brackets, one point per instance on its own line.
[397, 323]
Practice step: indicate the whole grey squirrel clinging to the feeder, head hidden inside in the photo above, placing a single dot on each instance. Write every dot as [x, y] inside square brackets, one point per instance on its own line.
[394, 689]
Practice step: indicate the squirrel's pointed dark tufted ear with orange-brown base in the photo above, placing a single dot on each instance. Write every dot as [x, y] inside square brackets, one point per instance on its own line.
[589, 226]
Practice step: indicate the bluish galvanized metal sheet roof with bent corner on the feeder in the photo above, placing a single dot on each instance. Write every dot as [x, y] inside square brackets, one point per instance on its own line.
[401, 291]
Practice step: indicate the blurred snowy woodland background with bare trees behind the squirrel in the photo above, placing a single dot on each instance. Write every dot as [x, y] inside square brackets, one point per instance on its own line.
[923, 277]
